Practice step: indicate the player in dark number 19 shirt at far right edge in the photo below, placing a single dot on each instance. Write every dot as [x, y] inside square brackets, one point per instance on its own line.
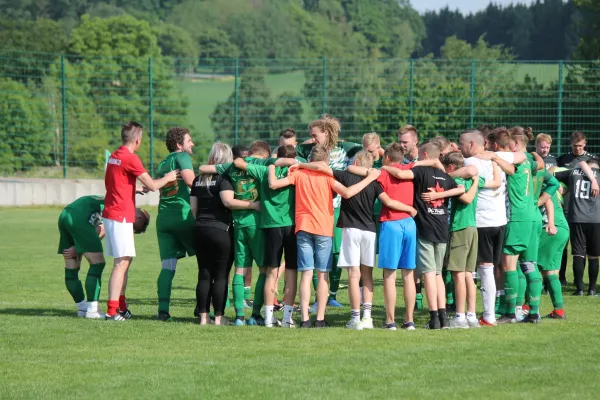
[584, 218]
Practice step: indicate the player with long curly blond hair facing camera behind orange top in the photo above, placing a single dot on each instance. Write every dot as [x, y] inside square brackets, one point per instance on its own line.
[325, 132]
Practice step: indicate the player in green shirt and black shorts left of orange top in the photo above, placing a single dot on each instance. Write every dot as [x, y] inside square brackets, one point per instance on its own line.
[277, 222]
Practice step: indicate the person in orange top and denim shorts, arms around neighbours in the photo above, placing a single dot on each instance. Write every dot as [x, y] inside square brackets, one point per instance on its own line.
[314, 226]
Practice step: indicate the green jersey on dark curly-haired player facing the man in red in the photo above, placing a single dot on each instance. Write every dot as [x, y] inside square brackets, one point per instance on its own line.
[175, 196]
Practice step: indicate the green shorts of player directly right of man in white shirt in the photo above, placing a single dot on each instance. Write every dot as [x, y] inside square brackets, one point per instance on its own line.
[522, 239]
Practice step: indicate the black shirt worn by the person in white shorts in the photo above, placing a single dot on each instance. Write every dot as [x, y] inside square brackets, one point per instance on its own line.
[357, 212]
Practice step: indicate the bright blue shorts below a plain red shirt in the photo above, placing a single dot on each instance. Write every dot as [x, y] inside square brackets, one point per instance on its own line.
[398, 244]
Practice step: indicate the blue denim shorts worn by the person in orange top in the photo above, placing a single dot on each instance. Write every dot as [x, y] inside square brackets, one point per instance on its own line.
[314, 251]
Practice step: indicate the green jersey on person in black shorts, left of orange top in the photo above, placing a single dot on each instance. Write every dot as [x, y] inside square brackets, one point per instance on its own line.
[276, 206]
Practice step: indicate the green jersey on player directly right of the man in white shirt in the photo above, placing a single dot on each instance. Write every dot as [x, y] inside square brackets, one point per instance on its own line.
[523, 207]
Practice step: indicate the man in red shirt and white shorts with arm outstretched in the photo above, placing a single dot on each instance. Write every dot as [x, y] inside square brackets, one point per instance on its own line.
[122, 170]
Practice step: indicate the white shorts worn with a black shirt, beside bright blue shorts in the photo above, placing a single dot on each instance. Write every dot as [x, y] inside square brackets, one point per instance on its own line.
[358, 248]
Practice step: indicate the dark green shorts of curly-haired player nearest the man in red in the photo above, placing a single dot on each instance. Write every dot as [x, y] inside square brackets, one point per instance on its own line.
[175, 236]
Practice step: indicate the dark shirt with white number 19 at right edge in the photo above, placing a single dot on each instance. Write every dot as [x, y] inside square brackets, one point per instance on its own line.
[583, 207]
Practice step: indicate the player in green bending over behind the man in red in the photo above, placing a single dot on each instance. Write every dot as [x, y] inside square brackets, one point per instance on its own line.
[81, 231]
